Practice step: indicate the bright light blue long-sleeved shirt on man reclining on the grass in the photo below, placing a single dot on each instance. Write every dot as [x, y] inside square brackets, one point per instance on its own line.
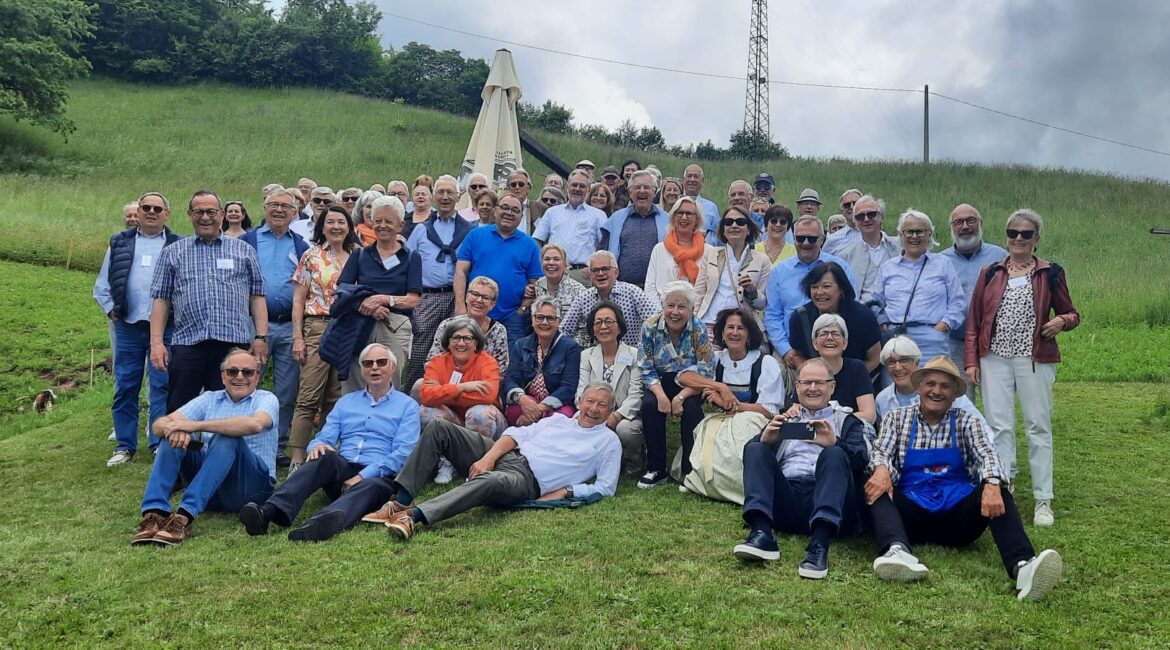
[378, 434]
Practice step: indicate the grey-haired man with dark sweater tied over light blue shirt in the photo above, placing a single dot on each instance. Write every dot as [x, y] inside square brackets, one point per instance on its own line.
[437, 241]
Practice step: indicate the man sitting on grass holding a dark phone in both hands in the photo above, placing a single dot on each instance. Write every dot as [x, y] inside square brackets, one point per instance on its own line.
[801, 475]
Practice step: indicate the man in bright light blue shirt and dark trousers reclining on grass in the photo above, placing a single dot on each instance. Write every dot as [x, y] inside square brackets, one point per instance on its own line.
[367, 438]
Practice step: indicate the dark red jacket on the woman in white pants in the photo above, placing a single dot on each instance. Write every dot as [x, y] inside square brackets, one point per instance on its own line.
[1048, 298]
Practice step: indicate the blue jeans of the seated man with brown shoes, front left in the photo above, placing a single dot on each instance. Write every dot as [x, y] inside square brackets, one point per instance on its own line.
[221, 478]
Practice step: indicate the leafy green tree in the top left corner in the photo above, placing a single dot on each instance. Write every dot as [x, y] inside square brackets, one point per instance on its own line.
[40, 46]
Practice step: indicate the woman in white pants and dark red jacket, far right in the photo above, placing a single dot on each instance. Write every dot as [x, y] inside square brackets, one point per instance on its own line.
[1018, 308]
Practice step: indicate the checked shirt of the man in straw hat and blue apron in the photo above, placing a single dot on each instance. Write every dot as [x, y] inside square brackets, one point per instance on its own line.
[974, 442]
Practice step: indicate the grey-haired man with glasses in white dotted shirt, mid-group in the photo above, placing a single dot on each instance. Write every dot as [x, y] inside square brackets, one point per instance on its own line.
[637, 306]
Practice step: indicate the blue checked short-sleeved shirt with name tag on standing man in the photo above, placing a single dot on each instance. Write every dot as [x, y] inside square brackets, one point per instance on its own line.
[210, 286]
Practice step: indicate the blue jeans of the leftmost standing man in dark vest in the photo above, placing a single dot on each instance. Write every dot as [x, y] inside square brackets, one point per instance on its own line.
[132, 355]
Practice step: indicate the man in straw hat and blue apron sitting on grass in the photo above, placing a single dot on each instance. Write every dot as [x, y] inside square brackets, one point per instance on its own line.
[938, 480]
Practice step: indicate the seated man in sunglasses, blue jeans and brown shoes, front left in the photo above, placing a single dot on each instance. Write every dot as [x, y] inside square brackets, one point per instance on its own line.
[232, 464]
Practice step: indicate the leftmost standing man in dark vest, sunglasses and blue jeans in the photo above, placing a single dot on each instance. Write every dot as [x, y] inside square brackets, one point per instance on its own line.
[123, 293]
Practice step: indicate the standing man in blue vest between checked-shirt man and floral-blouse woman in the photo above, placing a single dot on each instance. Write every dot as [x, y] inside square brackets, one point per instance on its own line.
[279, 251]
